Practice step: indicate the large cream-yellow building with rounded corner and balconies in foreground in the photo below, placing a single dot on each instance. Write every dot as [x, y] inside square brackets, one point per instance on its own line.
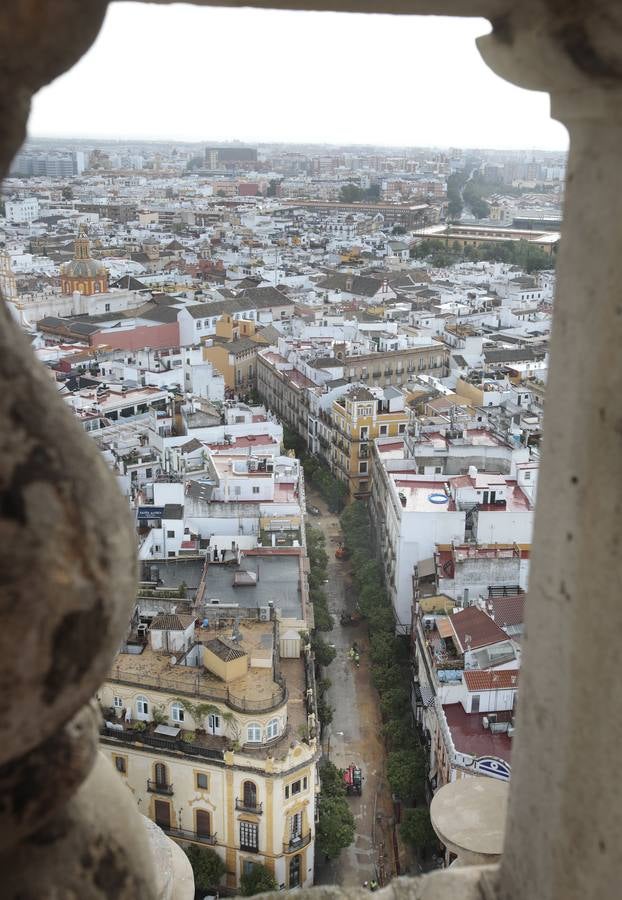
[224, 754]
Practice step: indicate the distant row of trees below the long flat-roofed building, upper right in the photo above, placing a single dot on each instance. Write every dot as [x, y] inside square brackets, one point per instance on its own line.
[523, 254]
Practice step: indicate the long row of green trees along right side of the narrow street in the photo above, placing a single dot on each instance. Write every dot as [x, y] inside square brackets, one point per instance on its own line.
[389, 656]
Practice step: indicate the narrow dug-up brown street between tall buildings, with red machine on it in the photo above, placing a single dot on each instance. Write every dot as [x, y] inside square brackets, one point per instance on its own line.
[355, 733]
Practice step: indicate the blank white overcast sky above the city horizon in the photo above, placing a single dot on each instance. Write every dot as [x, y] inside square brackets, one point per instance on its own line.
[200, 74]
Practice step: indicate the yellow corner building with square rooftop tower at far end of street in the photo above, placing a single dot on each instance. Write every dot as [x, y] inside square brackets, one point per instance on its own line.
[358, 418]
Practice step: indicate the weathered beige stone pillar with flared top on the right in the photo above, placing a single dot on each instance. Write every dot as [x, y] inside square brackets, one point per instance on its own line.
[565, 813]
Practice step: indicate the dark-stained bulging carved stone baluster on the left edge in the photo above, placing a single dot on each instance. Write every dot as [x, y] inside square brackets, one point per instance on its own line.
[68, 826]
